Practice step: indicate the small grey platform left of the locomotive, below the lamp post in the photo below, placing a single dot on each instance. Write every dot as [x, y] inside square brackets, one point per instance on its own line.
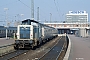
[5, 42]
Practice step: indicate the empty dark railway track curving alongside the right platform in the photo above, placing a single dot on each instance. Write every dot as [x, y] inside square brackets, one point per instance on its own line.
[54, 53]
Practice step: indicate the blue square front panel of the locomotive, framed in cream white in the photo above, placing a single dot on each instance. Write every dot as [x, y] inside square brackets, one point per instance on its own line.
[24, 32]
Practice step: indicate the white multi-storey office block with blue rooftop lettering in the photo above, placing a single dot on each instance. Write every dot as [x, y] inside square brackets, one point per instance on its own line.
[77, 17]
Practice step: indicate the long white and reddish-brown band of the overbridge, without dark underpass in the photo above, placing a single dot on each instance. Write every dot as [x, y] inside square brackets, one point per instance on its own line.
[69, 25]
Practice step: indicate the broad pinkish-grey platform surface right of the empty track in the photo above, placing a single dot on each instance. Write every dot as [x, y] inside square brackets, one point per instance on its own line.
[80, 48]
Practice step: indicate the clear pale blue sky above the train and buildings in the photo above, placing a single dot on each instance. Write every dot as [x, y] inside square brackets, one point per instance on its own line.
[19, 10]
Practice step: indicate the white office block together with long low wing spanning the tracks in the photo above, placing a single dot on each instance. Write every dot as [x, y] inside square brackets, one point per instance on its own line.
[75, 21]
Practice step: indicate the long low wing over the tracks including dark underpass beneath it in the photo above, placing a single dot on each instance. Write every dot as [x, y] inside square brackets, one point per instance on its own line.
[68, 27]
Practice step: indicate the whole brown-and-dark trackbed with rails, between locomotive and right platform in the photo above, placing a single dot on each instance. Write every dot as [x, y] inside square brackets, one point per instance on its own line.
[45, 52]
